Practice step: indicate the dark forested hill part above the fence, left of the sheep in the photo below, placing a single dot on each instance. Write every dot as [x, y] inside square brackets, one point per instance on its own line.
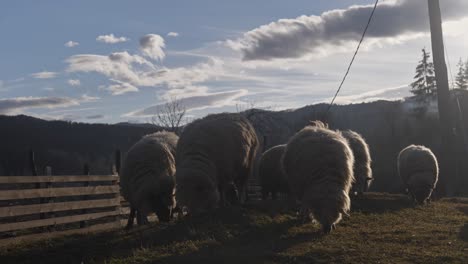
[66, 146]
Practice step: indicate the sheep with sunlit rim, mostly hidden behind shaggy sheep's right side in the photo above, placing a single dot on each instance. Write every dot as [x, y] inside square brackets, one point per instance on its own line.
[362, 161]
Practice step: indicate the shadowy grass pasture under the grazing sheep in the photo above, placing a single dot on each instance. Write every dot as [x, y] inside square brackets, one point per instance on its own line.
[382, 228]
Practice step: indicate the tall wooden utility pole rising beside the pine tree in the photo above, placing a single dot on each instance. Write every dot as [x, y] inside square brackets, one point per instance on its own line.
[447, 127]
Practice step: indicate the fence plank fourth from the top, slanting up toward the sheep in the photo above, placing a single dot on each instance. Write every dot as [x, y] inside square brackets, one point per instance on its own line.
[55, 221]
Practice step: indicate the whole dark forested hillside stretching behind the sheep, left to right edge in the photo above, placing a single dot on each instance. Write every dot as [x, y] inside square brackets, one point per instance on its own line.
[387, 126]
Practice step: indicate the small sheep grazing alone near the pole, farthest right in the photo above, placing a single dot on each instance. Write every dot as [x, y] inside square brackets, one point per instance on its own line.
[418, 168]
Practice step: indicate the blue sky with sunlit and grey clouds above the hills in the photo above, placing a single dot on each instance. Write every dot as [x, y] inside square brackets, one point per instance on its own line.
[121, 61]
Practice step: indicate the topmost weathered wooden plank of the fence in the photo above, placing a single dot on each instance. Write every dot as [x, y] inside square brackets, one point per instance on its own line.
[62, 178]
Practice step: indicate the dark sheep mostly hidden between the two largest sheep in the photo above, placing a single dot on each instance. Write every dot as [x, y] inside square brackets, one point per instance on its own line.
[272, 178]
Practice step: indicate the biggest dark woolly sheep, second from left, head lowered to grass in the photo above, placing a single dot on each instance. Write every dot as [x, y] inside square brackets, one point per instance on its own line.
[214, 159]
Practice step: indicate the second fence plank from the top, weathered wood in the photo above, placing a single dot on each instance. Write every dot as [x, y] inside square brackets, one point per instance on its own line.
[57, 192]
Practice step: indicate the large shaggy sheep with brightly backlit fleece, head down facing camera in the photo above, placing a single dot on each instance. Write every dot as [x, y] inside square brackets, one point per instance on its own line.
[318, 164]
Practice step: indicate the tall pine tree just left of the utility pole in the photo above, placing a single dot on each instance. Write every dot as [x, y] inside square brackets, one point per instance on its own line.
[424, 83]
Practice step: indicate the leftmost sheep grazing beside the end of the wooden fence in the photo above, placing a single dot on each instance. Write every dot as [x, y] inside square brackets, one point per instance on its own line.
[147, 179]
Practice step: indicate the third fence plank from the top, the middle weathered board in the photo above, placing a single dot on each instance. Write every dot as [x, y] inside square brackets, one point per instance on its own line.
[18, 210]
